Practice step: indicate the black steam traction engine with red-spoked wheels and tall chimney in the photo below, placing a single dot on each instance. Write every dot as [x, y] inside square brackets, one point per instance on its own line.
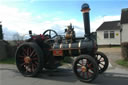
[47, 50]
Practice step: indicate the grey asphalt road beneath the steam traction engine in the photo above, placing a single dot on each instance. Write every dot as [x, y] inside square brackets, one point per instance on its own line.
[9, 75]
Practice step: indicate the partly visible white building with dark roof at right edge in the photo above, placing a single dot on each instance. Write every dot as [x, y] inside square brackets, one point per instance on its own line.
[124, 25]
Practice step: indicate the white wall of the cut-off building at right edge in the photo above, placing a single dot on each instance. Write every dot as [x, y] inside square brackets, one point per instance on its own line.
[124, 32]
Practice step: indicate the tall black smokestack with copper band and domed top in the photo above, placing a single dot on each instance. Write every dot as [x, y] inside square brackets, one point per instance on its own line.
[85, 10]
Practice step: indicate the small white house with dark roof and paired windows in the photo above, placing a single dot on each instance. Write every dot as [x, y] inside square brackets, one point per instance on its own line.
[109, 33]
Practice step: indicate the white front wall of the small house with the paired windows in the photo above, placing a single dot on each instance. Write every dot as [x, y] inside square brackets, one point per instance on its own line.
[108, 41]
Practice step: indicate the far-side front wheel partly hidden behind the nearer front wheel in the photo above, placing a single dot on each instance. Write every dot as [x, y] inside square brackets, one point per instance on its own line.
[102, 61]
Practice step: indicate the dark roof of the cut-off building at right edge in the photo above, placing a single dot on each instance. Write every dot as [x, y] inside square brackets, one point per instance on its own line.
[124, 16]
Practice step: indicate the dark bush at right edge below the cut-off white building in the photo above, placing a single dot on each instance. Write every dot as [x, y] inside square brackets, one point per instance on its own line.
[124, 50]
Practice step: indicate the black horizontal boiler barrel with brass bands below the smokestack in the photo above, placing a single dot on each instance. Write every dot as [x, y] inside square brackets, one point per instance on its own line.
[75, 49]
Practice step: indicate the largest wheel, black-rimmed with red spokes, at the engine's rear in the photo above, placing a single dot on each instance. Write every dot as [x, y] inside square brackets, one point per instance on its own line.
[29, 59]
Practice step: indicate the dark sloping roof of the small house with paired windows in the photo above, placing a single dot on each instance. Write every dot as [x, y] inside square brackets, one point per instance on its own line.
[111, 25]
